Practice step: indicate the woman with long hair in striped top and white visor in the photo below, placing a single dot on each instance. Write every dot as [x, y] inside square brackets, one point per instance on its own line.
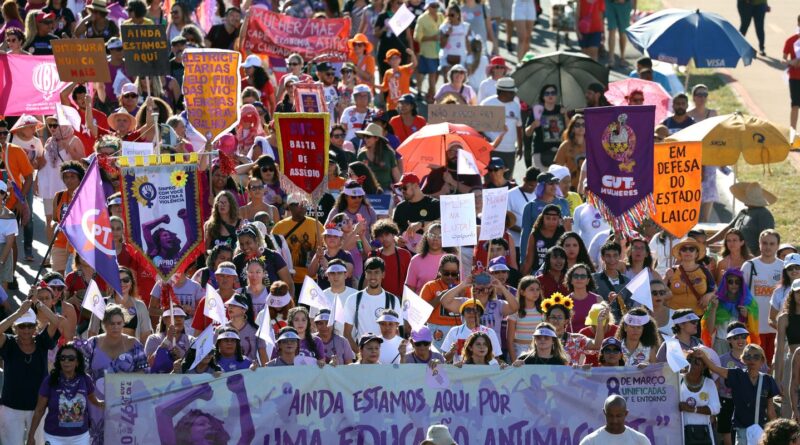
[523, 323]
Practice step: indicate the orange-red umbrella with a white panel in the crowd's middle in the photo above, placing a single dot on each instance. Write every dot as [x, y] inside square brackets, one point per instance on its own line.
[426, 147]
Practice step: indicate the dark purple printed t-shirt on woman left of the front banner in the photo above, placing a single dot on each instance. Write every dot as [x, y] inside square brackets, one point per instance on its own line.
[67, 406]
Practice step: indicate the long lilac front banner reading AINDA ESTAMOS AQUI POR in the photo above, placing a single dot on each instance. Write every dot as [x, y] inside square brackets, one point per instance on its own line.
[383, 404]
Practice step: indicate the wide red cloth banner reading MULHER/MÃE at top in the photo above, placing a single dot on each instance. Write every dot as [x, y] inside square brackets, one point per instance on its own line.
[281, 35]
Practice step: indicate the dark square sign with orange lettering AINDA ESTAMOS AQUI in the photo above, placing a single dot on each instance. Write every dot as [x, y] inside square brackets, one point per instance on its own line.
[146, 50]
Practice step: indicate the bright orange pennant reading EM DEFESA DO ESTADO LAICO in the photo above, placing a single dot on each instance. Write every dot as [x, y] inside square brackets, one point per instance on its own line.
[677, 190]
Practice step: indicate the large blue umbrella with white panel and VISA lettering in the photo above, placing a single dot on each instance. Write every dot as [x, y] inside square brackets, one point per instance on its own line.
[679, 35]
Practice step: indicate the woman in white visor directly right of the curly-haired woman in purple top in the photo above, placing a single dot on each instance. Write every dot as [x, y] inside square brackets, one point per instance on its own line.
[169, 343]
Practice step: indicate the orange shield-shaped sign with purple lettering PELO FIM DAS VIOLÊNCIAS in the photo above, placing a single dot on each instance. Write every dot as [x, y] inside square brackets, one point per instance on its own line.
[211, 90]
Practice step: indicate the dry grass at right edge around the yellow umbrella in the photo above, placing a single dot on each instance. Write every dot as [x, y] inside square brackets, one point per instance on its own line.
[780, 178]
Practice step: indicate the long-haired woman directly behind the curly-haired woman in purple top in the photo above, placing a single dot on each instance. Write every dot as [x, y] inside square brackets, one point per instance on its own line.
[137, 319]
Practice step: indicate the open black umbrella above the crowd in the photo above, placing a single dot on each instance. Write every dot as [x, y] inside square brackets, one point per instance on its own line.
[571, 72]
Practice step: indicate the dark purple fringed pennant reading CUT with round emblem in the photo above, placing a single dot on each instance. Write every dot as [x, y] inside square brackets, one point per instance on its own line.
[619, 152]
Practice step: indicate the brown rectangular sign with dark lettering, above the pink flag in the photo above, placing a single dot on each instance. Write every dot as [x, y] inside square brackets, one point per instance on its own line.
[81, 60]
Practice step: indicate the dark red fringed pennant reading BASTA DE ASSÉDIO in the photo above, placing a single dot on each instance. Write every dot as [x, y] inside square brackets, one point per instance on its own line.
[303, 139]
